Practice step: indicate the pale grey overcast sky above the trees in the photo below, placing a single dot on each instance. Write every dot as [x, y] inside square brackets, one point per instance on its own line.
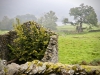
[11, 8]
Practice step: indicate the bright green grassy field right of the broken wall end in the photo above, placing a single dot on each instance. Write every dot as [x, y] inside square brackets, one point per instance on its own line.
[79, 47]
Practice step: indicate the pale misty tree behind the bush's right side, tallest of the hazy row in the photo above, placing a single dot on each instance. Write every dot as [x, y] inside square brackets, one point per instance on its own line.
[49, 20]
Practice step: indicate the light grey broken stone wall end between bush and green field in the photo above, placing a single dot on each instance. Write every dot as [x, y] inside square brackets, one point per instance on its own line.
[51, 54]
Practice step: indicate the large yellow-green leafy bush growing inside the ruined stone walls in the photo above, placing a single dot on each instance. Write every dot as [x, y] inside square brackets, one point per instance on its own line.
[31, 42]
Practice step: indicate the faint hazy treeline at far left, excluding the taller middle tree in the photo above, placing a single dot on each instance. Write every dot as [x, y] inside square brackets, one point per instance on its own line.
[7, 23]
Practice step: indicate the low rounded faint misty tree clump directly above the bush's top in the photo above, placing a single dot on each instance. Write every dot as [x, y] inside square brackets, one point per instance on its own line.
[25, 18]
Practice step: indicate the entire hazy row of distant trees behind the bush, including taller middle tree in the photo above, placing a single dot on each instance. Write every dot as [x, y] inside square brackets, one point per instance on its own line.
[48, 20]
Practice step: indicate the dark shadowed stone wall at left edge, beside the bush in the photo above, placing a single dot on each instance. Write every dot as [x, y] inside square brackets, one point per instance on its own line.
[4, 41]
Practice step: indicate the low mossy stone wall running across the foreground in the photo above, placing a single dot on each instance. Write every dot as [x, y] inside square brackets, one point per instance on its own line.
[46, 68]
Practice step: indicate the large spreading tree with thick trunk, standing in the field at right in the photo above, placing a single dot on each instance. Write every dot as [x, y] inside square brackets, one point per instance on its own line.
[84, 14]
